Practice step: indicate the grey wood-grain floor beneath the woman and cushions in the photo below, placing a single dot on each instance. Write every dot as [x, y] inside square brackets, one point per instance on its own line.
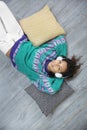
[18, 111]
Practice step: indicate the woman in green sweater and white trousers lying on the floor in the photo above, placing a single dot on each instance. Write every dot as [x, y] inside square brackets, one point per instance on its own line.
[40, 64]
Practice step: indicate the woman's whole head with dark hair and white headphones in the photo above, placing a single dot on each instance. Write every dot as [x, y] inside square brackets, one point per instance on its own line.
[64, 66]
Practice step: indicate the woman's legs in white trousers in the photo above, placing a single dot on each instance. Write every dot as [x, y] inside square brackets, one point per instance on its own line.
[10, 29]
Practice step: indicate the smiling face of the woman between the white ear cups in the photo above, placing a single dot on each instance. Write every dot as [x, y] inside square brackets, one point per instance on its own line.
[57, 66]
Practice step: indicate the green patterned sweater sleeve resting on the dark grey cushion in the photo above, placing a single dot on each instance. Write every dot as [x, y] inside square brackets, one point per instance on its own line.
[48, 85]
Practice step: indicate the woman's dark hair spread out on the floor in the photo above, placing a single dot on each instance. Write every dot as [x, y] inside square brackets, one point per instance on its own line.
[72, 67]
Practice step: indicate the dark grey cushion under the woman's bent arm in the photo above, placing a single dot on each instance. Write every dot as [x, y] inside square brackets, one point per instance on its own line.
[47, 103]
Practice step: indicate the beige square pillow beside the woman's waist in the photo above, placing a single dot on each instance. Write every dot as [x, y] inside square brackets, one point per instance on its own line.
[41, 26]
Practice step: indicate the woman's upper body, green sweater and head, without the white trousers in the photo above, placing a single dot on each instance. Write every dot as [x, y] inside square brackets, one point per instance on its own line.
[47, 65]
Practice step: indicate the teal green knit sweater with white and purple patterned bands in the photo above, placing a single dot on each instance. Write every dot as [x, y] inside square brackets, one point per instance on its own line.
[30, 60]
